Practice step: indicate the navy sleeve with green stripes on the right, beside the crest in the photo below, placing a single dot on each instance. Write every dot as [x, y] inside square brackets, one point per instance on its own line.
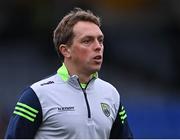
[120, 128]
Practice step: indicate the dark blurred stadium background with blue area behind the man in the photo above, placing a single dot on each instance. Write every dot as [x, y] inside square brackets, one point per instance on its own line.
[142, 39]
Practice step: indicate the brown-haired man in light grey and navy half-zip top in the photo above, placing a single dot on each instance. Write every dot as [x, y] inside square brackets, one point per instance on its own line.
[73, 103]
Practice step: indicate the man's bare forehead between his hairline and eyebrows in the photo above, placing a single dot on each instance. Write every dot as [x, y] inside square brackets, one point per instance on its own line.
[84, 28]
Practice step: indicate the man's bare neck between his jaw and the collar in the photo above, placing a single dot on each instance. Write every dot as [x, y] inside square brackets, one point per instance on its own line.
[83, 77]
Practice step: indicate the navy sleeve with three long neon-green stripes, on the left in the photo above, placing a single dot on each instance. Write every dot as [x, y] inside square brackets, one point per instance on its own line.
[26, 117]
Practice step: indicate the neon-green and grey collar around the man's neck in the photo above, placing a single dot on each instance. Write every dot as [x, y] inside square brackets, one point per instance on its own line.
[72, 80]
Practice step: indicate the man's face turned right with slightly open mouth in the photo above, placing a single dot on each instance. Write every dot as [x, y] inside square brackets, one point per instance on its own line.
[87, 47]
